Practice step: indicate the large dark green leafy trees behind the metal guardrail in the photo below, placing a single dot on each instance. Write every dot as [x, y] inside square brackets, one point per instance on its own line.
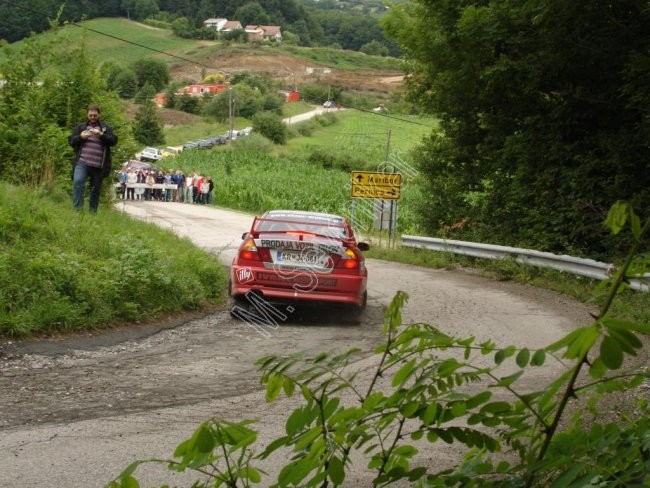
[544, 120]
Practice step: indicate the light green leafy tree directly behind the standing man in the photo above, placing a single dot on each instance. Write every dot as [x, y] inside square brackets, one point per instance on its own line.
[45, 92]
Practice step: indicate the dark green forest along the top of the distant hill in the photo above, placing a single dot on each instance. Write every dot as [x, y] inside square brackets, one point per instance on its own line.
[310, 24]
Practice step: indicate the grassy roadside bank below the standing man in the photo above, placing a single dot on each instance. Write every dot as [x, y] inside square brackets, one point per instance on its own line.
[65, 271]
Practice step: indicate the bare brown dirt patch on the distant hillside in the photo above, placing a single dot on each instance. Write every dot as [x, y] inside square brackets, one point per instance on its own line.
[292, 72]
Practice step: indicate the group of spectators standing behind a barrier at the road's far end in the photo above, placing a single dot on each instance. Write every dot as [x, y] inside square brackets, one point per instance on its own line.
[192, 188]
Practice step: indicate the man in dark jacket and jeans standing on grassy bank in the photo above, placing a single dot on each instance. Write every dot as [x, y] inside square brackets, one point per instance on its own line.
[92, 141]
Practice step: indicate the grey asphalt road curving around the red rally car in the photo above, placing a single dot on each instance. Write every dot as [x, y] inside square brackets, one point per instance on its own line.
[75, 412]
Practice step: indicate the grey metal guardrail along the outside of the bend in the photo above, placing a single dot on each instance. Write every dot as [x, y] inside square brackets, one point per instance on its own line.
[569, 264]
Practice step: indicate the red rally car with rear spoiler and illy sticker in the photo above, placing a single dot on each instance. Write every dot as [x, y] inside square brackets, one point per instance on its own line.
[300, 256]
